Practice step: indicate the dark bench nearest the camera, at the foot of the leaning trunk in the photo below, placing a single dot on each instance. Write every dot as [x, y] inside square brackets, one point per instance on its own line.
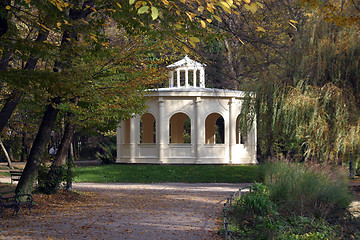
[15, 202]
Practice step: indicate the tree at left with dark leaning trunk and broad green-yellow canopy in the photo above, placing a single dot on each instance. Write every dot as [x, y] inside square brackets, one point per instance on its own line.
[81, 26]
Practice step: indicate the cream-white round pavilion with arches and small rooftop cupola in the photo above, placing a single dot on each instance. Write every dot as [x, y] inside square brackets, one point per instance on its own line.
[187, 123]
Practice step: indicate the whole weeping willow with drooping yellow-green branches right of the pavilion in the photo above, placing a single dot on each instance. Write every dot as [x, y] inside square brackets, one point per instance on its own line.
[308, 100]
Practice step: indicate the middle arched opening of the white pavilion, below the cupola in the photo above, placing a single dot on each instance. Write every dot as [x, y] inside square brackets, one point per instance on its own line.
[180, 128]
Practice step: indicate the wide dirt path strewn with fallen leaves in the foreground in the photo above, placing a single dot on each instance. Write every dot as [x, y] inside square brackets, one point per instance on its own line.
[125, 211]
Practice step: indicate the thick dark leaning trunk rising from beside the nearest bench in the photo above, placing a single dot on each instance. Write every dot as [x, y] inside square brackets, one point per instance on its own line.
[37, 152]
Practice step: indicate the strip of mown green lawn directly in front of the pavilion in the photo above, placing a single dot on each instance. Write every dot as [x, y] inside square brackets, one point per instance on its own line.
[168, 173]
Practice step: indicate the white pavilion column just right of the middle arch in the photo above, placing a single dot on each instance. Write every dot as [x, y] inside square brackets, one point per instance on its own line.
[200, 130]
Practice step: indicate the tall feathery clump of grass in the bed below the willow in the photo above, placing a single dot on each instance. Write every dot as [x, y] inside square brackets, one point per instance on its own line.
[307, 190]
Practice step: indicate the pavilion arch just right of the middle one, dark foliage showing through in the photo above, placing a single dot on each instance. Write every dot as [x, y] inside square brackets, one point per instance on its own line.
[214, 129]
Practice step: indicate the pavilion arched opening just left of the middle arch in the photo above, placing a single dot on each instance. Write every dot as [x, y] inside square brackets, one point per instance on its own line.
[147, 128]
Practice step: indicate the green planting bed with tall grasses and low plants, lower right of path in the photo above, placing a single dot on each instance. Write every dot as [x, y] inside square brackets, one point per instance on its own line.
[295, 202]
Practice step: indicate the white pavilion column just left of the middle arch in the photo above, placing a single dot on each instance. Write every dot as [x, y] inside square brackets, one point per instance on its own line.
[161, 130]
